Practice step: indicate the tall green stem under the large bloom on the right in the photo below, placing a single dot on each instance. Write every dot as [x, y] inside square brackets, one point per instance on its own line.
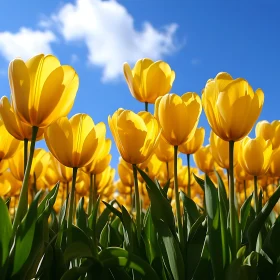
[232, 209]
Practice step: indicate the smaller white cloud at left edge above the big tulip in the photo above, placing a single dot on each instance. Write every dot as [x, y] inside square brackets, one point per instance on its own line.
[25, 43]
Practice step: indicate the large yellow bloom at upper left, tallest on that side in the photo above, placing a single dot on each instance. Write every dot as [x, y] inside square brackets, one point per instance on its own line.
[42, 90]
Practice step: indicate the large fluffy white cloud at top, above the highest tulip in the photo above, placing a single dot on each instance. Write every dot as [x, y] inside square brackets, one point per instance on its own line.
[109, 33]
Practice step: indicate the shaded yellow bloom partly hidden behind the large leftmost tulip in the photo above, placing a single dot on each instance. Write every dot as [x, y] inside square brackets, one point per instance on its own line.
[14, 125]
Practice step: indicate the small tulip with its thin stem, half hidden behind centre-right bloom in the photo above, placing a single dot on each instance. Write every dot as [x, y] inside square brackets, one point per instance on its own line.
[190, 147]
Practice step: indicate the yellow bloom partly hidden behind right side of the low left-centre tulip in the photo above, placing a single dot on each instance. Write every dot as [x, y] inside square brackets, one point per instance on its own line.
[101, 157]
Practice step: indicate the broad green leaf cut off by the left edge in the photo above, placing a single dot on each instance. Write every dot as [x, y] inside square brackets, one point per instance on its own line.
[5, 232]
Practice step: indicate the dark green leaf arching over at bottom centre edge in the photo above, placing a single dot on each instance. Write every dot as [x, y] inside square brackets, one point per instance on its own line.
[117, 257]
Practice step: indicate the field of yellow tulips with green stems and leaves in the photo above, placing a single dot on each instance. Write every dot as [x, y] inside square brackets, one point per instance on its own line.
[63, 215]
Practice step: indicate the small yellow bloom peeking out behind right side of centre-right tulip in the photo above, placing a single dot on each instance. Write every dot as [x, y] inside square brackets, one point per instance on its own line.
[192, 145]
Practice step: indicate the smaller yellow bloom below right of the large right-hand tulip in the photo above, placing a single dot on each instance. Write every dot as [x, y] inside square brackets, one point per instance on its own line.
[255, 155]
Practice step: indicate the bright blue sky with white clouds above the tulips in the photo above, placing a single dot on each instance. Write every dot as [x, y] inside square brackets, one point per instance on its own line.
[197, 38]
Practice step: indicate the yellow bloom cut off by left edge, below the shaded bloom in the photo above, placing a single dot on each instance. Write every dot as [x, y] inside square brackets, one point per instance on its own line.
[8, 144]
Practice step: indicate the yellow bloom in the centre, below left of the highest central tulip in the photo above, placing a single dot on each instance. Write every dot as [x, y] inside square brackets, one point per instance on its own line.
[136, 135]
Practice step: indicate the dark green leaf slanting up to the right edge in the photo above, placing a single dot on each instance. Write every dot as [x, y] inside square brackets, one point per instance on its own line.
[258, 223]
